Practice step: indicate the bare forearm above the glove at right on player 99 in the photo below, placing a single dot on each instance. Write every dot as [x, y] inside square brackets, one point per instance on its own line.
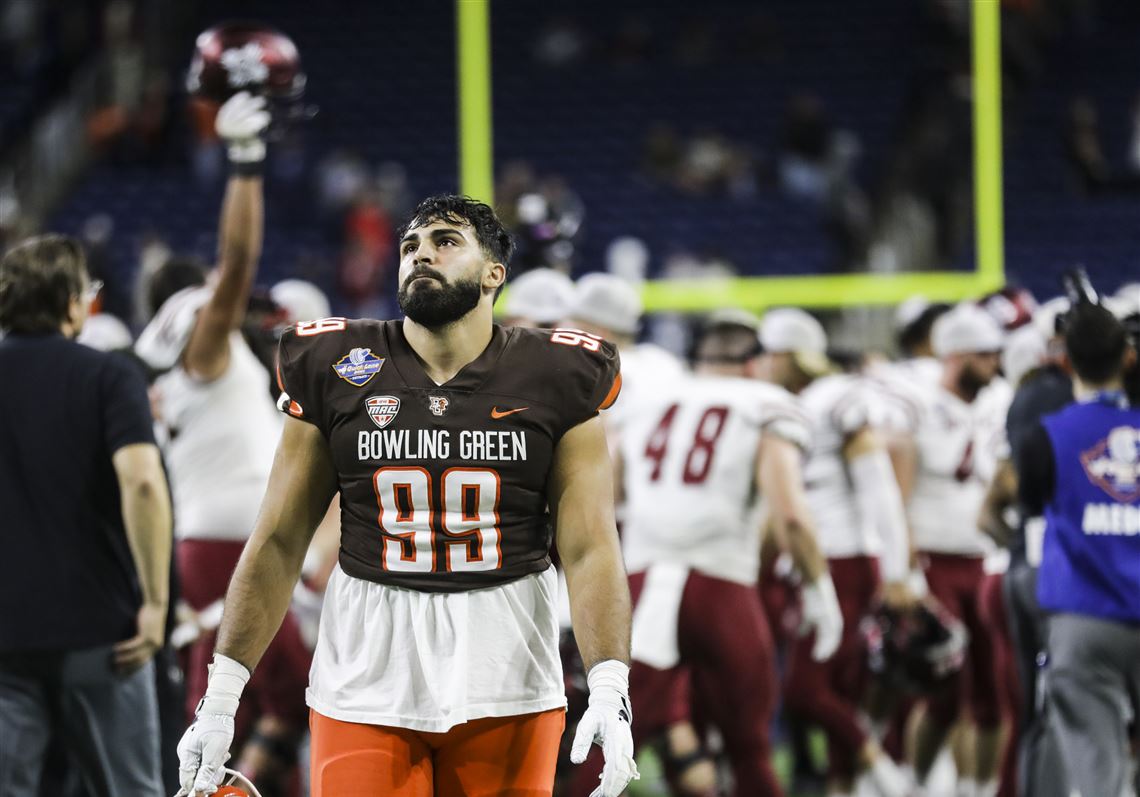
[600, 605]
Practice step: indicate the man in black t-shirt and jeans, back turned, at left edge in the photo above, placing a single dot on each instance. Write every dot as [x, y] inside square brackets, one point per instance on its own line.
[85, 579]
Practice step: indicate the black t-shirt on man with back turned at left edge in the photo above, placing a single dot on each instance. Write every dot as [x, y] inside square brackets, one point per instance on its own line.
[67, 578]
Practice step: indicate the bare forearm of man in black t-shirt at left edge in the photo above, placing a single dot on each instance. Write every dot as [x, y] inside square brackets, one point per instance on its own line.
[148, 522]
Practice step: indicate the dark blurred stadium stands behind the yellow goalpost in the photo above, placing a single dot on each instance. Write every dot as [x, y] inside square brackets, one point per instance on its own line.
[580, 91]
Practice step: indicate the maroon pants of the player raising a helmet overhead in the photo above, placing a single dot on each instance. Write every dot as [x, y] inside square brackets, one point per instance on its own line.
[279, 684]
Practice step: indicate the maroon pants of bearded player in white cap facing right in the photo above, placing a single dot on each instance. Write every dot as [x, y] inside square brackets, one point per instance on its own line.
[956, 582]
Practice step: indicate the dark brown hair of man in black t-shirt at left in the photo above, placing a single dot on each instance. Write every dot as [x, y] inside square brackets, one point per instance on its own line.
[38, 280]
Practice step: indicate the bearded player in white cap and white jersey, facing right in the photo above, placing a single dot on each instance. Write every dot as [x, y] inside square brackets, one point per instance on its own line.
[958, 433]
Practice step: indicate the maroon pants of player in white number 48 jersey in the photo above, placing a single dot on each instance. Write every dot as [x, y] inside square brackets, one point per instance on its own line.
[728, 665]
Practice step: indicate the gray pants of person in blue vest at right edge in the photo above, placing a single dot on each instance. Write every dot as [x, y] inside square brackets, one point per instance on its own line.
[1094, 685]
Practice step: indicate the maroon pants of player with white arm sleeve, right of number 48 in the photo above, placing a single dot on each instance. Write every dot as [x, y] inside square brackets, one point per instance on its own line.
[828, 693]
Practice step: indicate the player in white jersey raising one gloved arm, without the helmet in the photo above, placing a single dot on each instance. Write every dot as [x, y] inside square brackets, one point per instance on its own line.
[222, 426]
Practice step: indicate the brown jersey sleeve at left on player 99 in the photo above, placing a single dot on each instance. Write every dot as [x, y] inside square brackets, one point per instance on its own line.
[303, 359]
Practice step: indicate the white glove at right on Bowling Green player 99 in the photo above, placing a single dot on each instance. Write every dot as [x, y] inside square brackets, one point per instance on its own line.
[607, 723]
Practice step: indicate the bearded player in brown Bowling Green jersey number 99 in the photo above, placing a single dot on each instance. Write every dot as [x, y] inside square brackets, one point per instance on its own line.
[460, 451]
